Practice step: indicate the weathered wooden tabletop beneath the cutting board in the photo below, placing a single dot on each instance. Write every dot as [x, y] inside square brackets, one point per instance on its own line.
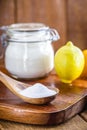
[76, 123]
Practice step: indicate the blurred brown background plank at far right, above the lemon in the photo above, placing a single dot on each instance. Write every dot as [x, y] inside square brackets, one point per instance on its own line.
[77, 22]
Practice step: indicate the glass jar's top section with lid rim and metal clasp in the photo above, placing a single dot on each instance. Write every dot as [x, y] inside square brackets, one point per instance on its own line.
[30, 32]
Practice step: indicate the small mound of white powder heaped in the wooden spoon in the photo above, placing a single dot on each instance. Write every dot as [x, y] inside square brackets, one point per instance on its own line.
[37, 91]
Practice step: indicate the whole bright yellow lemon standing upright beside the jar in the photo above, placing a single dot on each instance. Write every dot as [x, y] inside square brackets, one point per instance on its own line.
[69, 62]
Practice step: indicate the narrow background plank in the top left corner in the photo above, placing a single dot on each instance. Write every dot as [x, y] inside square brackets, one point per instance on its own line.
[7, 9]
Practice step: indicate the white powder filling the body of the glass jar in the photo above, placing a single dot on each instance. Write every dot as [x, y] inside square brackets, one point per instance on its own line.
[29, 60]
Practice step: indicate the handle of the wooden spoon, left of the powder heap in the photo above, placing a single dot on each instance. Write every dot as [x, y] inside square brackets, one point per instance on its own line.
[14, 86]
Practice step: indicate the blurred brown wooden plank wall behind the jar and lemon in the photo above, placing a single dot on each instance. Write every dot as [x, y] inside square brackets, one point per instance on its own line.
[68, 17]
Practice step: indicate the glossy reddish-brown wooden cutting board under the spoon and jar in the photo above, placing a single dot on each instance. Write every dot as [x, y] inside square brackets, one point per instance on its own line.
[70, 101]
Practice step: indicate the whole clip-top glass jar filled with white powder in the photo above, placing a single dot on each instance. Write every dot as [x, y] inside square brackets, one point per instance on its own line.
[29, 53]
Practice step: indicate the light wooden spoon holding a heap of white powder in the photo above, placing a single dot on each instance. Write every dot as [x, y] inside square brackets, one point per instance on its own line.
[16, 87]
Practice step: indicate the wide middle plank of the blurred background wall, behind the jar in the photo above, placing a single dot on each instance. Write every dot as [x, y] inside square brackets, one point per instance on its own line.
[50, 12]
